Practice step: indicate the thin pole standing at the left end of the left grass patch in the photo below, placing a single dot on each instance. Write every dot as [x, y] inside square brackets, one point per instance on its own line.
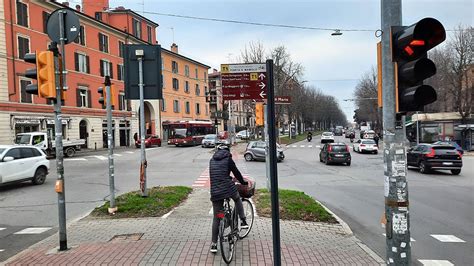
[110, 145]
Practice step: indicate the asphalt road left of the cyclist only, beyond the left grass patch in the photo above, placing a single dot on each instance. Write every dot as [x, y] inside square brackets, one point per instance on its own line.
[24, 206]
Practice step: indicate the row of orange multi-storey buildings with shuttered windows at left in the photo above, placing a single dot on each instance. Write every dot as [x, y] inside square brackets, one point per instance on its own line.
[93, 55]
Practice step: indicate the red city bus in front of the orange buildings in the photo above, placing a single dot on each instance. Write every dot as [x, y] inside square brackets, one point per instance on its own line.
[187, 133]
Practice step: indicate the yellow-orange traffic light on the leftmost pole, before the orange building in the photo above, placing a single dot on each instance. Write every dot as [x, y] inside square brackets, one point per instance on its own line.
[44, 73]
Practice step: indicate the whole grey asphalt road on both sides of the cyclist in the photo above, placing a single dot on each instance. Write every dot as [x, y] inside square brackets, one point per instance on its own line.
[440, 204]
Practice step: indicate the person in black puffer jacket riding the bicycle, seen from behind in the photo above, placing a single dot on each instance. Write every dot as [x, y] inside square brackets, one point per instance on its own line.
[223, 187]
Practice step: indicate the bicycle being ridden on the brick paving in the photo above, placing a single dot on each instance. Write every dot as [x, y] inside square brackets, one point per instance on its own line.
[229, 227]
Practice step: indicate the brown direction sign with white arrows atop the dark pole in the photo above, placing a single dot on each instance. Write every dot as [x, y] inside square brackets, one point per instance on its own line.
[244, 81]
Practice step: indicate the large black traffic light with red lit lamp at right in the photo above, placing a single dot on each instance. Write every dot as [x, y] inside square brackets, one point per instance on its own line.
[410, 45]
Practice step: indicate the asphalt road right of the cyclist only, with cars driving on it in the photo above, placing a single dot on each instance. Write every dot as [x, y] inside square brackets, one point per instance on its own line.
[440, 203]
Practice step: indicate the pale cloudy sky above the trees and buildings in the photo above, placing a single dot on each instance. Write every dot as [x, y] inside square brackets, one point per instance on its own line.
[332, 63]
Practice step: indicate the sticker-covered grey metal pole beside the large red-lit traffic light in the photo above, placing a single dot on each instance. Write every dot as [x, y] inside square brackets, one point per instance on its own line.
[398, 247]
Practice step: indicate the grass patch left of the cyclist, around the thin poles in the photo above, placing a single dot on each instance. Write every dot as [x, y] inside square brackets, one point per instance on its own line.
[160, 201]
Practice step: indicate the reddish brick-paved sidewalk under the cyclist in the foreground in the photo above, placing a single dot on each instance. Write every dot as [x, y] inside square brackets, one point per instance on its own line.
[183, 238]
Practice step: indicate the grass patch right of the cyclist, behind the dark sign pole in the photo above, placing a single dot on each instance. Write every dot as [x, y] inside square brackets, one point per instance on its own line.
[294, 205]
